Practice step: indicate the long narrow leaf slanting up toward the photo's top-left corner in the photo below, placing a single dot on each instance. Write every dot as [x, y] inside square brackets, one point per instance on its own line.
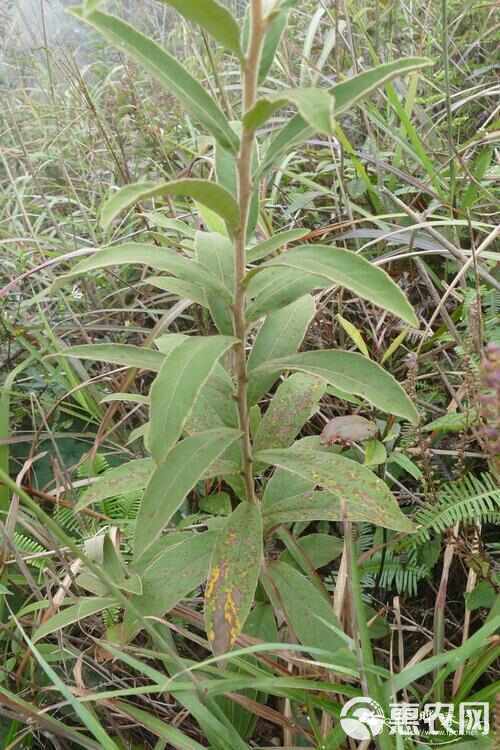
[165, 68]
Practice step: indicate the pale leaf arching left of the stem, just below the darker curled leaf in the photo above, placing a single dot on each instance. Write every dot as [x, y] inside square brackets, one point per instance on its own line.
[159, 258]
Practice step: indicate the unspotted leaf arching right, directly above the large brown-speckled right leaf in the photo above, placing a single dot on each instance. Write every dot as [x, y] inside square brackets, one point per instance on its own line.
[353, 374]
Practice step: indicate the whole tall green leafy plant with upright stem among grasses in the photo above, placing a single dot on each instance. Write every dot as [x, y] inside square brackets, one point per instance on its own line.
[205, 418]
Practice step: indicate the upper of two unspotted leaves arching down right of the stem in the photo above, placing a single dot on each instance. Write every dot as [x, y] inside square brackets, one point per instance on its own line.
[345, 268]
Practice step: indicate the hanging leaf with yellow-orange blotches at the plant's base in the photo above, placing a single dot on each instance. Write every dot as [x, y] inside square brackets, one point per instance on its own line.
[233, 577]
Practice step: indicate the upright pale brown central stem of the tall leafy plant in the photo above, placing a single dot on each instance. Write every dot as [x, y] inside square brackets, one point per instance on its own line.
[250, 75]
